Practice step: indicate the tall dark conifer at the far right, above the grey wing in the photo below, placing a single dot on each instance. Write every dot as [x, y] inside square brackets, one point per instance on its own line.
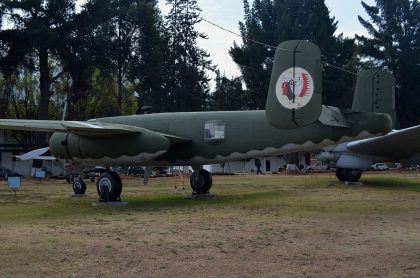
[394, 44]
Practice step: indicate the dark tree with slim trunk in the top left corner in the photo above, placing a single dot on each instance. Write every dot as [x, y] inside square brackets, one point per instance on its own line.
[40, 30]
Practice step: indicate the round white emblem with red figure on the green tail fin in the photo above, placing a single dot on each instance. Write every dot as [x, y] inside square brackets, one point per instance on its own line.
[294, 88]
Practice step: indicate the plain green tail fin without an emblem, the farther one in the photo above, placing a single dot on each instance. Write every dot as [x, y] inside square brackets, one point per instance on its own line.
[375, 92]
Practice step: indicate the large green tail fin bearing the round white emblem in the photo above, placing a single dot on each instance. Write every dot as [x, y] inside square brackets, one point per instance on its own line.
[295, 94]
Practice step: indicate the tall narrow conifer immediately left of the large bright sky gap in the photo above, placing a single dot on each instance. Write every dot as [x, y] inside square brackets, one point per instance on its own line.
[186, 64]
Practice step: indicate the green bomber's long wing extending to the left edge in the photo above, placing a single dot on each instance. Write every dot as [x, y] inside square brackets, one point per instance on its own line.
[86, 128]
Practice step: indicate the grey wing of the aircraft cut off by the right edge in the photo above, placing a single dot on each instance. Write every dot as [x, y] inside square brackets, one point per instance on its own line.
[399, 144]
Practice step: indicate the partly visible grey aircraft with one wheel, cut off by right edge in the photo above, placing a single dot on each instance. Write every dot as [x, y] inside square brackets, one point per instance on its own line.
[350, 159]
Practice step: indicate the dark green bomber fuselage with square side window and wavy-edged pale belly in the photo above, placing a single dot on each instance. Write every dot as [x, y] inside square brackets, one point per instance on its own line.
[235, 136]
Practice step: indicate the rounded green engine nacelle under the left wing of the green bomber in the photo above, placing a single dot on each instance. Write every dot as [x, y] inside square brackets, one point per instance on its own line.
[124, 148]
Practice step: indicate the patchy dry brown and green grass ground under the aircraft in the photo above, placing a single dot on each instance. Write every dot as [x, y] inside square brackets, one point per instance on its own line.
[287, 227]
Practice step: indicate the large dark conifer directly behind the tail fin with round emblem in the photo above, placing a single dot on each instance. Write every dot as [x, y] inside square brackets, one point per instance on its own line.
[274, 21]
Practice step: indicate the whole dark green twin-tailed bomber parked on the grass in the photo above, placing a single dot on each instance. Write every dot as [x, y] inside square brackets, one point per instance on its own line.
[294, 120]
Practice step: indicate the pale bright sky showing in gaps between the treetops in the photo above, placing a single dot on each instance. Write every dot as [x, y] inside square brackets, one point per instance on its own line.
[227, 13]
